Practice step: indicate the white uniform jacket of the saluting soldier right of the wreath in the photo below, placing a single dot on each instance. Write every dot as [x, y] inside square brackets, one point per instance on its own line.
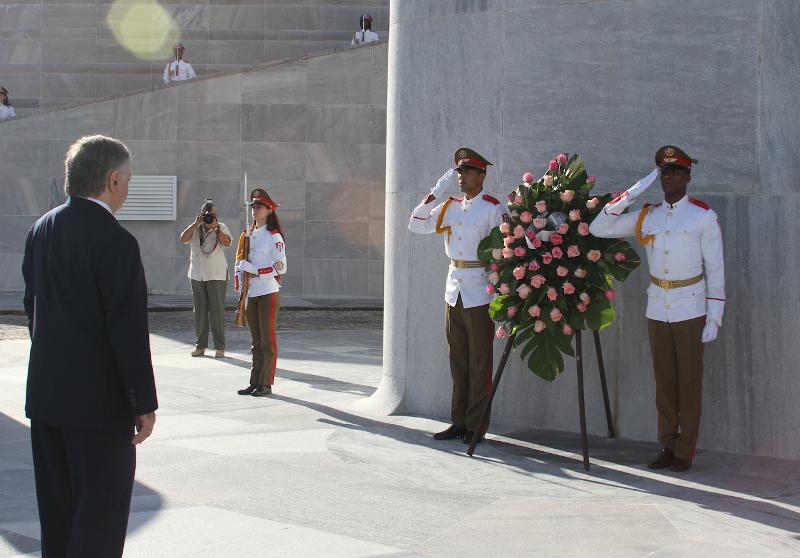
[687, 242]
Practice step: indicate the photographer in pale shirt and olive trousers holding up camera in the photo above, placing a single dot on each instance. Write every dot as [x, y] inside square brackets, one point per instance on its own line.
[208, 271]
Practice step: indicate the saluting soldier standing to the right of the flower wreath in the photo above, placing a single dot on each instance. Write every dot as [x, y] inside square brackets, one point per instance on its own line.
[686, 297]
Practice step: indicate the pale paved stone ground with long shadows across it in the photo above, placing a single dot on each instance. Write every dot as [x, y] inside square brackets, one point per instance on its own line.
[309, 472]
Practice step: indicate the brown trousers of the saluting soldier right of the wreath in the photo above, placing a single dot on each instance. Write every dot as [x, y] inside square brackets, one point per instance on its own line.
[677, 352]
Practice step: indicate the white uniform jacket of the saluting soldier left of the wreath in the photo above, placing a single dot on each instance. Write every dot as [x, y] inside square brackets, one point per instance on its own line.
[463, 223]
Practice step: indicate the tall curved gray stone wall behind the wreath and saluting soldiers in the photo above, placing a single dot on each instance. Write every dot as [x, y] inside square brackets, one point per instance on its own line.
[612, 80]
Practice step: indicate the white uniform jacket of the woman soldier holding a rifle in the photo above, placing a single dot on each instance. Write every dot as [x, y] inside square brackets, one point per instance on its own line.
[267, 260]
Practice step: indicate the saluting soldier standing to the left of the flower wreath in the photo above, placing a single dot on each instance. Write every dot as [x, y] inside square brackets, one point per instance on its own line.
[464, 222]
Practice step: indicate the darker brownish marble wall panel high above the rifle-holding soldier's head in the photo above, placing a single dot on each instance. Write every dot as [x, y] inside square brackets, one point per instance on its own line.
[279, 123]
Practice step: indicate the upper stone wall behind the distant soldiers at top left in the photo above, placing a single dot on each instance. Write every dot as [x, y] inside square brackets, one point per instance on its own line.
[54, 53]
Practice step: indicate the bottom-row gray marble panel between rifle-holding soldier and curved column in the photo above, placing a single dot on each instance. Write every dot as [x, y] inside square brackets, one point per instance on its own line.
[335, 278]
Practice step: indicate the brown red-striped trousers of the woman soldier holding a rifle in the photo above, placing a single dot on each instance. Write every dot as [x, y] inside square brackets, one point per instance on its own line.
[262, 315]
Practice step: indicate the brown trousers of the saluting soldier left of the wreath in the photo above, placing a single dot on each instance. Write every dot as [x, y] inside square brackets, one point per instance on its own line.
[470, 333]
